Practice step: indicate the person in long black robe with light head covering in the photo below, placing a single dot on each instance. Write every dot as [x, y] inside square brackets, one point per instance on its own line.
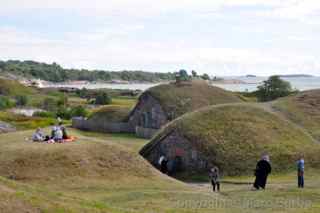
[263, 169]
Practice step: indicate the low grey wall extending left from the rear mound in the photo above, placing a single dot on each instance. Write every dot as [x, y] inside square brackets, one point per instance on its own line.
[101, 126]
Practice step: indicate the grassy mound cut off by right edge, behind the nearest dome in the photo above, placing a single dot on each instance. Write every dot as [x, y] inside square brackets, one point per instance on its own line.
[303, 109]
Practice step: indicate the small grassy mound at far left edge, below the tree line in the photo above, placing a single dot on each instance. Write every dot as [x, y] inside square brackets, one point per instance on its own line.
[13, 88]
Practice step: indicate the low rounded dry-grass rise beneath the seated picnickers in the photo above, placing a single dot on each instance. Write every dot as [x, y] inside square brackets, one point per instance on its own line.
[87, 158]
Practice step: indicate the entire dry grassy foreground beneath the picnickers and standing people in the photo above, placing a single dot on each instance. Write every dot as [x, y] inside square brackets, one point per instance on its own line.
[103, 173]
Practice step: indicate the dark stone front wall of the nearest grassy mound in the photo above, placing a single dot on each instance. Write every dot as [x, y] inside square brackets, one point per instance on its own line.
[174, 145]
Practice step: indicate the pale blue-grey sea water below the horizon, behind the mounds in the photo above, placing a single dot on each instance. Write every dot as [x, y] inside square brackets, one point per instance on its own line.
[248, 84]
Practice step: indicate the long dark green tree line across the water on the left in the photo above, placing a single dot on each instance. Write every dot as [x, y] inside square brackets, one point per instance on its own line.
[55, 73]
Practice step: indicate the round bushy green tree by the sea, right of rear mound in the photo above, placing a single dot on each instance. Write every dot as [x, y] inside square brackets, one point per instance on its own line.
[273, 88]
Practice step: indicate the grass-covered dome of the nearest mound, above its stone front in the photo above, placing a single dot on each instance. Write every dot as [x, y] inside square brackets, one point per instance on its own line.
[235, 136]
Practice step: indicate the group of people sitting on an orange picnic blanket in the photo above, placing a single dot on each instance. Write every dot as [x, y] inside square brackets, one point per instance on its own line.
[58, 134]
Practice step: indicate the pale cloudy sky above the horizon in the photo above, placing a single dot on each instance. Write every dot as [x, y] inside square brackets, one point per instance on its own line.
[220, 37]
